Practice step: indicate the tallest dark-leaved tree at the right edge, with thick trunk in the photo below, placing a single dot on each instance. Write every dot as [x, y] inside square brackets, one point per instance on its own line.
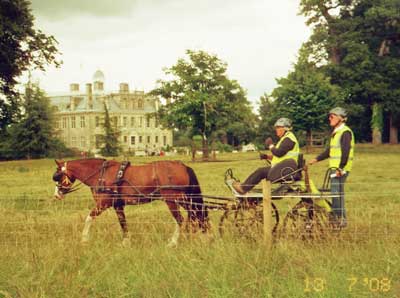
[358, 41]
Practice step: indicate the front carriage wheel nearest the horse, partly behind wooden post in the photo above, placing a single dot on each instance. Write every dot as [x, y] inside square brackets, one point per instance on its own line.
[245, 220]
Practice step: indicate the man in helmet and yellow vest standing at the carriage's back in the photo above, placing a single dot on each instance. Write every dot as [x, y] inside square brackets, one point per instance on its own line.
[340, 153]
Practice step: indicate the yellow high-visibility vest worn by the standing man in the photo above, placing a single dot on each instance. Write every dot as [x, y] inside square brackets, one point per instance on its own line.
[335, 150]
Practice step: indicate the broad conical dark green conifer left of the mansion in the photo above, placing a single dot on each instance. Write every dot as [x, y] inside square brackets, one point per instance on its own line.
[33, 136]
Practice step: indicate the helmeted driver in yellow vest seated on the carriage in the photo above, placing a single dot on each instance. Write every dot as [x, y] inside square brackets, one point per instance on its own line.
[283, 160]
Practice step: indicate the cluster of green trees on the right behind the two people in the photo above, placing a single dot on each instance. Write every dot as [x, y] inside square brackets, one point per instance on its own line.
[352, 59]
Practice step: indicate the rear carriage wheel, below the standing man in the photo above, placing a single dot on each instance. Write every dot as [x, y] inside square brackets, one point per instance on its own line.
[306, 221]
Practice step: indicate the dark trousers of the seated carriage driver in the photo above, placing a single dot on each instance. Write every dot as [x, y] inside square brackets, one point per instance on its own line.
[272, 174]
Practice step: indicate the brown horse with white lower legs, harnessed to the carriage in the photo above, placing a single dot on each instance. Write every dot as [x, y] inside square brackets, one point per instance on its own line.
[115, 184]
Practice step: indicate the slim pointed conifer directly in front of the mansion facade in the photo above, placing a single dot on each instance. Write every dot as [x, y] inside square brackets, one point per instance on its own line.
[109, 141]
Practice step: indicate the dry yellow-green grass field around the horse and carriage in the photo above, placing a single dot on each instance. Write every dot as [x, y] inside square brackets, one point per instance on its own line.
[41, 254]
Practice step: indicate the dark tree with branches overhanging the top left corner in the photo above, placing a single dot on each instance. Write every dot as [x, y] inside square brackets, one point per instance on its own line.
[21, 47]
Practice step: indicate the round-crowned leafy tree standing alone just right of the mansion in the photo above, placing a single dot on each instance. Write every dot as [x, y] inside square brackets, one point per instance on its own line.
[200, 97]
